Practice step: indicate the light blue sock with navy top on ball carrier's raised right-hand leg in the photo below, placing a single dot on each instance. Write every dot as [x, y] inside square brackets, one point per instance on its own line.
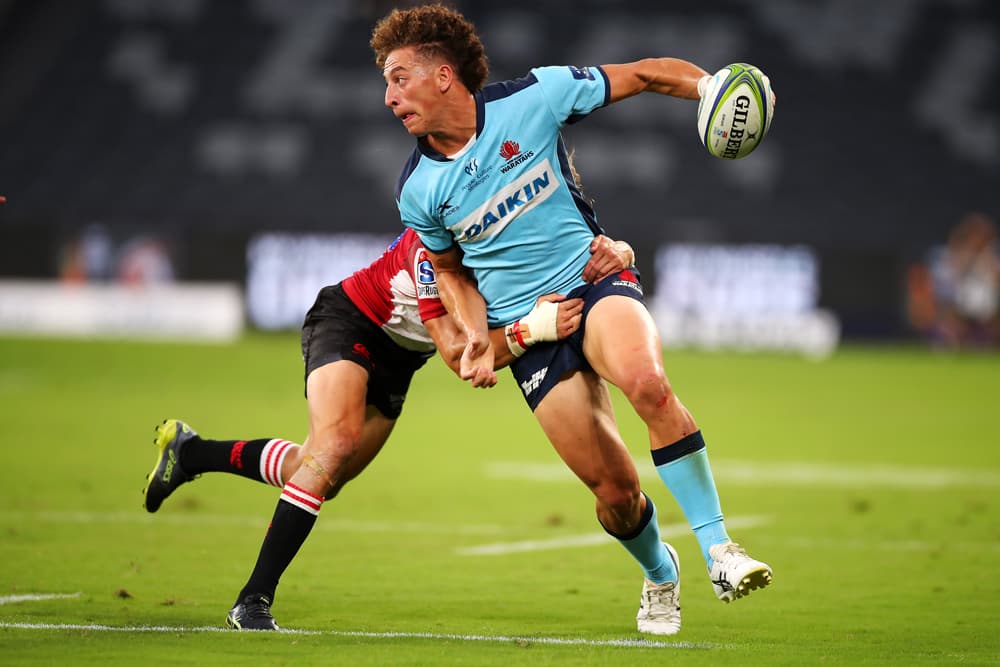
[684, 468]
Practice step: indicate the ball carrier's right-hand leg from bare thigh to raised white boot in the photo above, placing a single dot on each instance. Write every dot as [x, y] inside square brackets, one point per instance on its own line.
[623, 346]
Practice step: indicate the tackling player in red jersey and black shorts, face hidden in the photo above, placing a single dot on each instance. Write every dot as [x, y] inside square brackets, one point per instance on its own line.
[362, 341]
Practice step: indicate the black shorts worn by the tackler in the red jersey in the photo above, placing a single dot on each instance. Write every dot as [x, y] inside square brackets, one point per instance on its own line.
[335, 329]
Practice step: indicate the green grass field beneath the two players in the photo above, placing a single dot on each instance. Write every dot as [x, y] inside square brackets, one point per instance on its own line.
[868, 481]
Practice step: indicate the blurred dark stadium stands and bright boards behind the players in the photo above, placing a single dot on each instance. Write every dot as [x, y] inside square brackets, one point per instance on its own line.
[235, 156]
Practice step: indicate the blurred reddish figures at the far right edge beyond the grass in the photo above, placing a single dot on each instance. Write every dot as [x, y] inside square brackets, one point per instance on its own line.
[954, 298]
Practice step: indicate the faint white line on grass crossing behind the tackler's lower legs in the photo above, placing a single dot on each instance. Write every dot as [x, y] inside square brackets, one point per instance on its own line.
[194, 519]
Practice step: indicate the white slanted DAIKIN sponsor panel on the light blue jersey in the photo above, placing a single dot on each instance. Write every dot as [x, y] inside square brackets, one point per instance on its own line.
[502, 208]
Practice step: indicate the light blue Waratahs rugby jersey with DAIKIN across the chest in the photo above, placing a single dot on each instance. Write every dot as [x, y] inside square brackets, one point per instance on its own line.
[509, 199]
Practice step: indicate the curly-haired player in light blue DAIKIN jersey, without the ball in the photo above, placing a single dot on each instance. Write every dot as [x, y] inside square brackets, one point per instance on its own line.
[490, 188]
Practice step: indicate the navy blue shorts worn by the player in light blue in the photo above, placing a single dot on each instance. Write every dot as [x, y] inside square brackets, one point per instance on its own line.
[541, 367]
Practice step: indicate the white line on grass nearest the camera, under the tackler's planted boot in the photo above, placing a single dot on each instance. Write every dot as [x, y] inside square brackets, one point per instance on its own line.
[505, 639]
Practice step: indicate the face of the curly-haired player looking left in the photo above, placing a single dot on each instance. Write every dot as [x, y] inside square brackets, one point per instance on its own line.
[411, 90]
